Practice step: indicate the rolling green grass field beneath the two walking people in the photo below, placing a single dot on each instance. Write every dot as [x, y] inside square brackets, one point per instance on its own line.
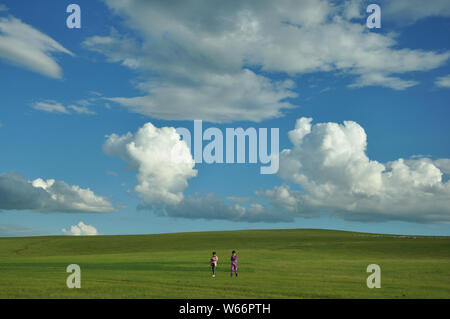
[272, 264]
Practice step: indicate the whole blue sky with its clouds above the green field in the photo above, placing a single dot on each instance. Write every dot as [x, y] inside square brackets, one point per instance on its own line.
[64, 92]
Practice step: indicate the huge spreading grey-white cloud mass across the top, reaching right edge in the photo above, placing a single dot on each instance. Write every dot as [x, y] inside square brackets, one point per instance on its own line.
[211, 61]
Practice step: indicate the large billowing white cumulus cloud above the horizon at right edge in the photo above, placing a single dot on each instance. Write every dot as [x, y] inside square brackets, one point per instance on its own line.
[330, 165]
